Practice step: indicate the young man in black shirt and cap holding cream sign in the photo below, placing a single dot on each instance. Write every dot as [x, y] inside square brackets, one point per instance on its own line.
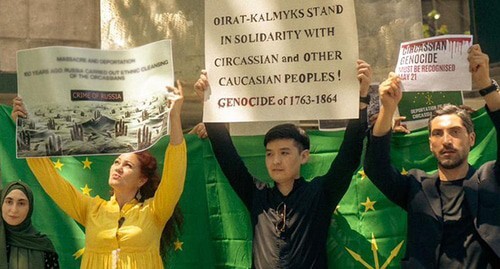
[290, 220]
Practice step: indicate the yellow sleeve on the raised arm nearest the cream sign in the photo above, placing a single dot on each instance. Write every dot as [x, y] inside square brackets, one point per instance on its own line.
[172, 181]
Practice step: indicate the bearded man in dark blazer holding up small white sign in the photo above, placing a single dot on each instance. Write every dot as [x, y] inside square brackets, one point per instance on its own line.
[453, 214]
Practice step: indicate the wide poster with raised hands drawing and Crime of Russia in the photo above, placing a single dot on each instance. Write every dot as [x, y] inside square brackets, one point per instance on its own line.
[88, 101]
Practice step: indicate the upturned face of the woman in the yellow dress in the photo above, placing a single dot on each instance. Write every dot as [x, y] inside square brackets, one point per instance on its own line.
[125, 174]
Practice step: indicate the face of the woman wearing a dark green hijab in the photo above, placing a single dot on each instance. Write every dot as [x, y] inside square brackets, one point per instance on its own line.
[15, 207]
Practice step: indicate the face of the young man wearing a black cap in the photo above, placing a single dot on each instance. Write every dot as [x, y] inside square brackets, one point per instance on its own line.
[284, 159]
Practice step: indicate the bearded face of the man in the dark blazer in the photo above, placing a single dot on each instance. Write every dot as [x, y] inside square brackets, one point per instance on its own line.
[449, 141]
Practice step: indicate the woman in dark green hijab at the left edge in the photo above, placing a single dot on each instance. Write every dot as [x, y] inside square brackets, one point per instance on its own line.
[26, 248]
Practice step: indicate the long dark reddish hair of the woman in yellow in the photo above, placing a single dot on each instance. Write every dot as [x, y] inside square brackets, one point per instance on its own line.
[174, 225]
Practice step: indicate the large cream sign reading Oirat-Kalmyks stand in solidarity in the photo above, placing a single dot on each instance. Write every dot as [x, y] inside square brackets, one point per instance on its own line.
[280, 60]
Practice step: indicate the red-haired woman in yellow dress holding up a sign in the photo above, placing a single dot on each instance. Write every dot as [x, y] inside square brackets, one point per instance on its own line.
[128, 230]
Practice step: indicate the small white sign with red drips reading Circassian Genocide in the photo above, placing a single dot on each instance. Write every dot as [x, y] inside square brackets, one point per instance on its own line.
[435, 64]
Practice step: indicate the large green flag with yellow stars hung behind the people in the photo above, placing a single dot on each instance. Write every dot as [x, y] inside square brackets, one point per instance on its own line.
[367, 230]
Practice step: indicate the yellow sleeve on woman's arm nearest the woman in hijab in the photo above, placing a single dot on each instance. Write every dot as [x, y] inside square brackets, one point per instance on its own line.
[64, 194]
